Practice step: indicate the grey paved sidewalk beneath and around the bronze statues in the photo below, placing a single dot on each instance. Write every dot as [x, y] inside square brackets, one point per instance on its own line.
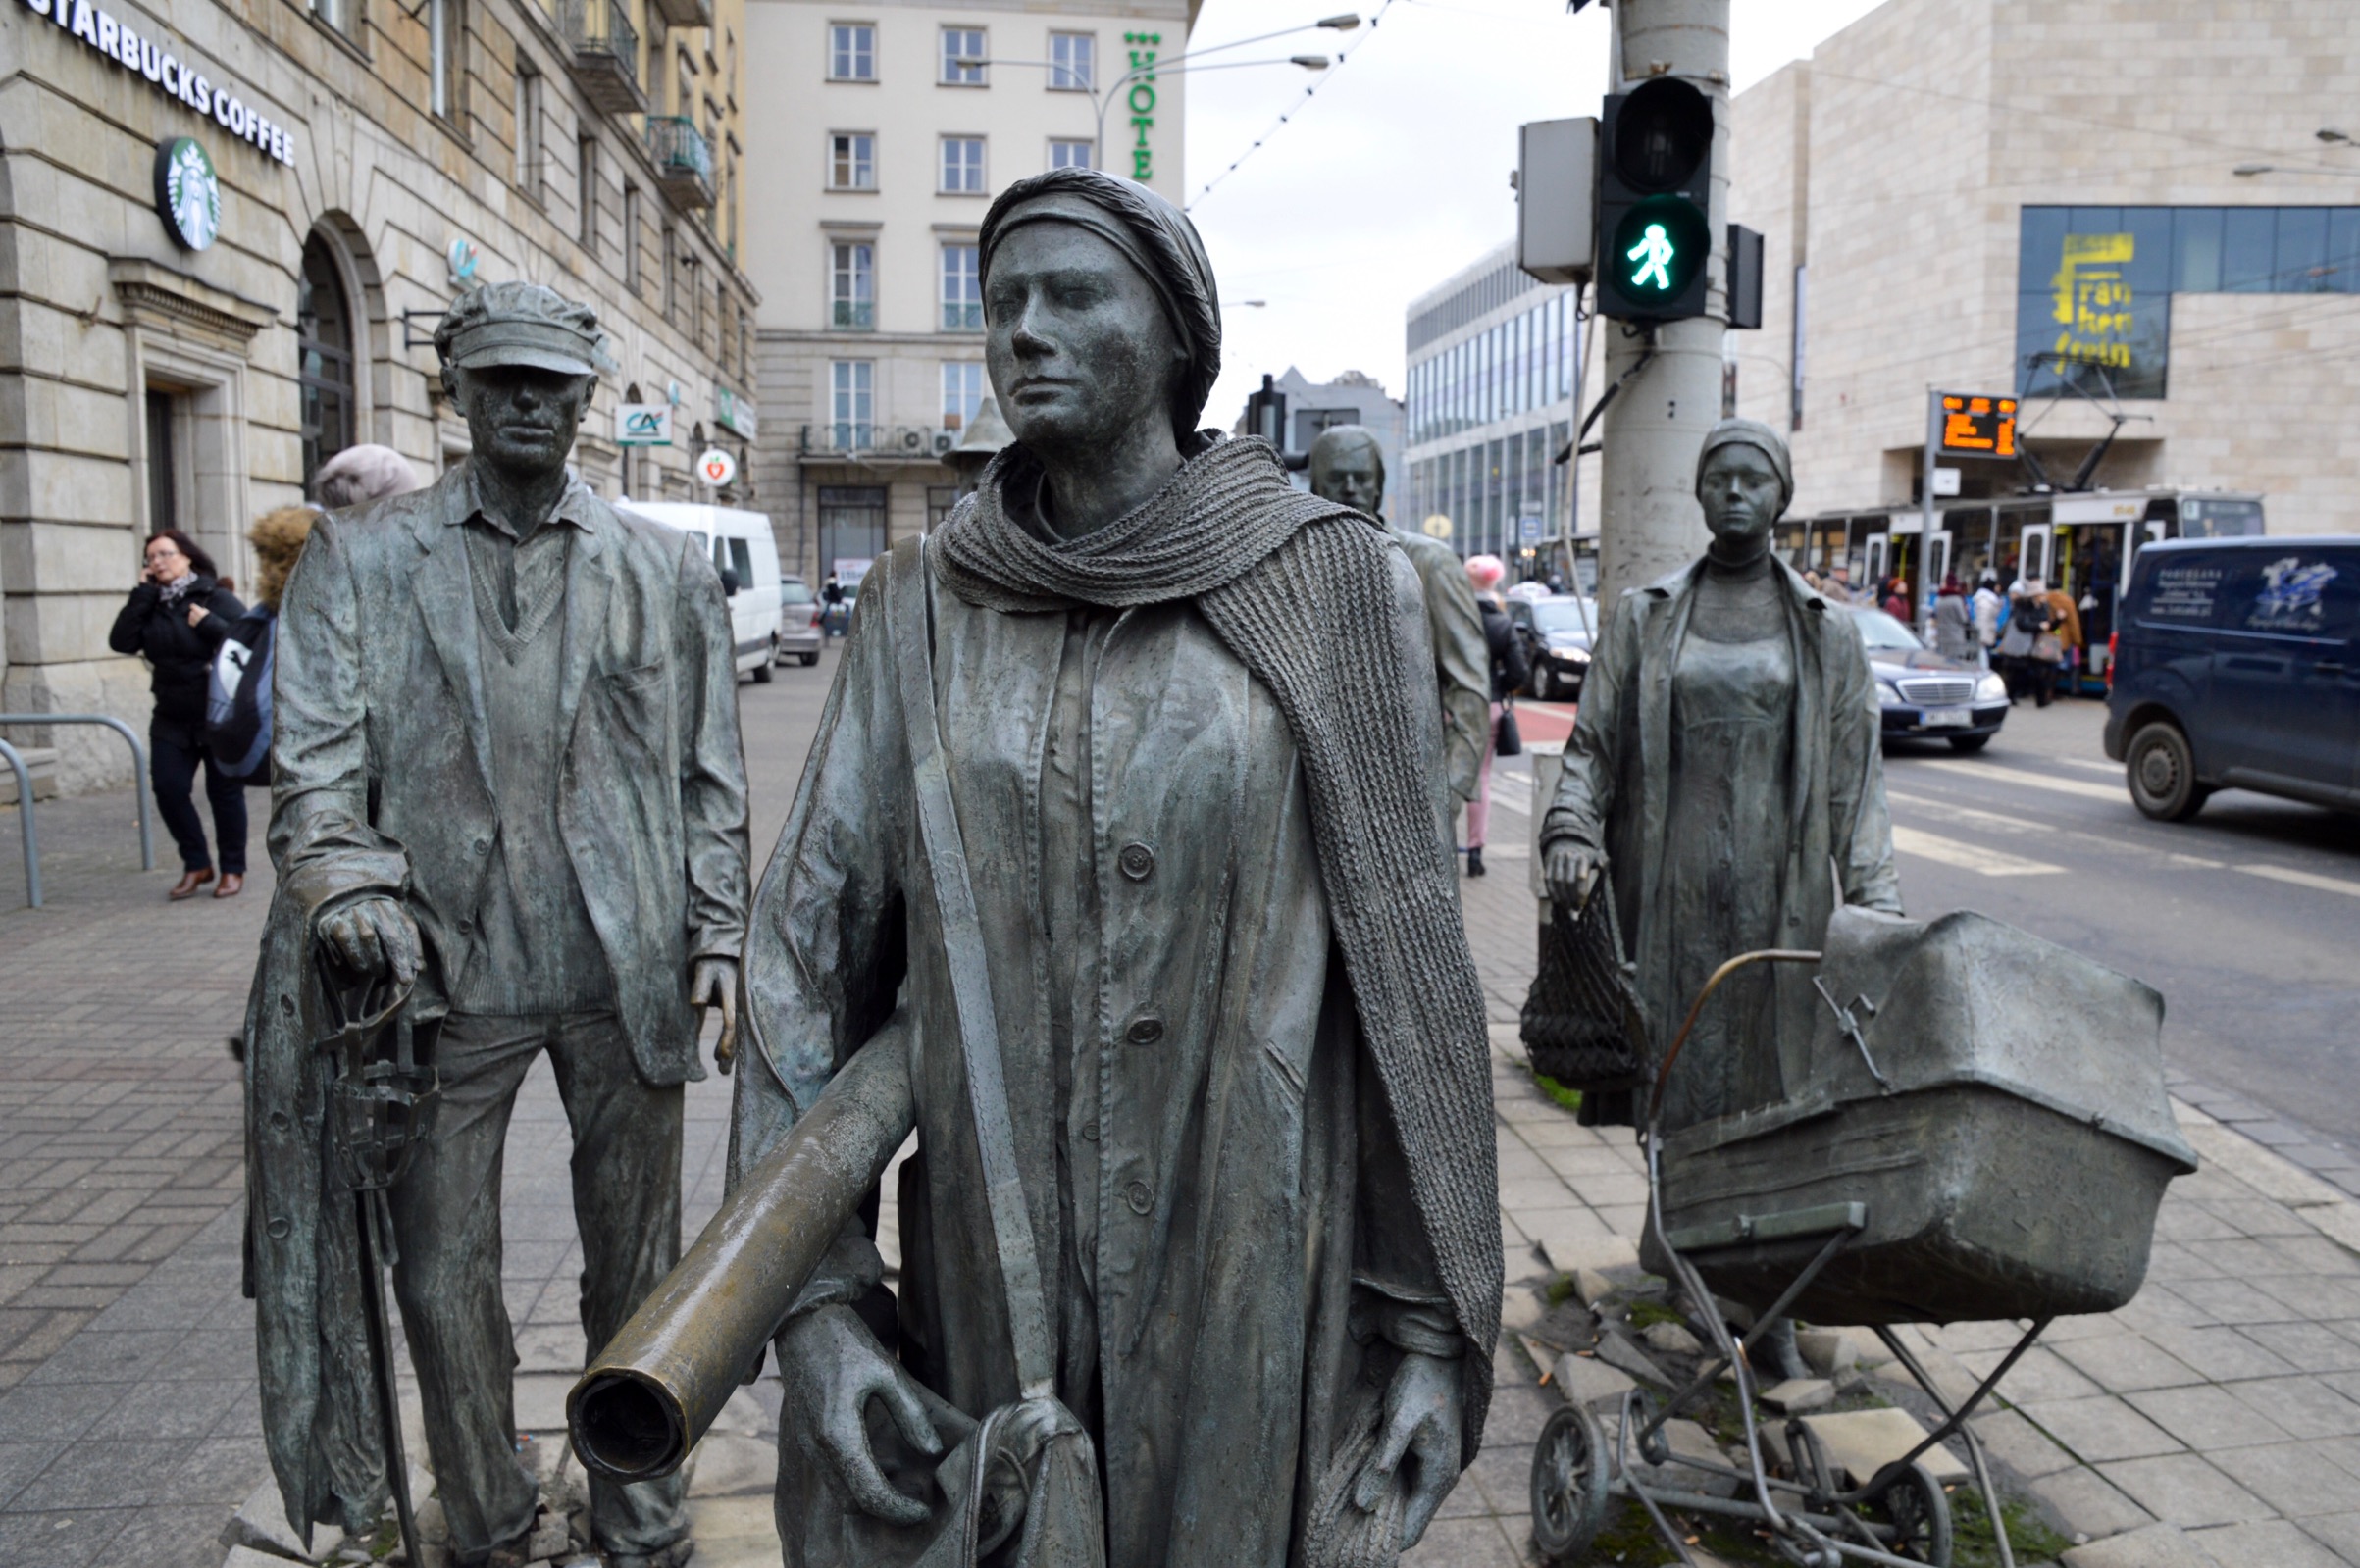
[2215, 1421]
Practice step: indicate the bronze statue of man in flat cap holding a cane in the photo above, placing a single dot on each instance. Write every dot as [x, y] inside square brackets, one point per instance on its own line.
[506, 784]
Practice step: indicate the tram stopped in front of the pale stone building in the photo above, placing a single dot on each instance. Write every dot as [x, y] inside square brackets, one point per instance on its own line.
[2080, 543]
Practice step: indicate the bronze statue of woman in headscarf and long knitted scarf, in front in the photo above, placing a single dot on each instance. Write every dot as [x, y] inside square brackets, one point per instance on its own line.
[1193, 758]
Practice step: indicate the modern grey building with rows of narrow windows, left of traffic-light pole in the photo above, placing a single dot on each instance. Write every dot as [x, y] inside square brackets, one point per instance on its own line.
[1493, 362]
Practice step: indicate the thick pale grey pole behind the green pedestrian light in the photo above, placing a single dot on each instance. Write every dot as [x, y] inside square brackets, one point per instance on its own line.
[1648, 520]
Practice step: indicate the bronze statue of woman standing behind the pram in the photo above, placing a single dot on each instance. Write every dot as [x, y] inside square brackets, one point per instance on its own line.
[1726, 782]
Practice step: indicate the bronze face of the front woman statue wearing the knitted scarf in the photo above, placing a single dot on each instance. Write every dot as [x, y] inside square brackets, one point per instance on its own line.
[1077, 341]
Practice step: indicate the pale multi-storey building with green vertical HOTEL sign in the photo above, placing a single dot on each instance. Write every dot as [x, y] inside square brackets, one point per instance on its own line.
[889, 131]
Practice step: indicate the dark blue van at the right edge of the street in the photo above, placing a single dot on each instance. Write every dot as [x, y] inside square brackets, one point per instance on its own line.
[2238, 666]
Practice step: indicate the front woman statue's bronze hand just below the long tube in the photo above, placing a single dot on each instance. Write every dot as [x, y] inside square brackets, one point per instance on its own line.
[832, 1369]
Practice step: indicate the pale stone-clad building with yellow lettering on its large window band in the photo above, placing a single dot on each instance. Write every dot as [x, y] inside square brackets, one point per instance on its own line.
[1960, 192]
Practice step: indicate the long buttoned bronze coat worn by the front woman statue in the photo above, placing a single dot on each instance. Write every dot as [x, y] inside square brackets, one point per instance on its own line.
[1252, 1185]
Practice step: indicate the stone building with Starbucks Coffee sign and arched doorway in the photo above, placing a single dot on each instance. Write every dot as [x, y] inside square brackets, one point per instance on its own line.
[185, 350]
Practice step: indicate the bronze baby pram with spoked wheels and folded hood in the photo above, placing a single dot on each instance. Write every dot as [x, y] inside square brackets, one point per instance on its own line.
[1976, 1131]
